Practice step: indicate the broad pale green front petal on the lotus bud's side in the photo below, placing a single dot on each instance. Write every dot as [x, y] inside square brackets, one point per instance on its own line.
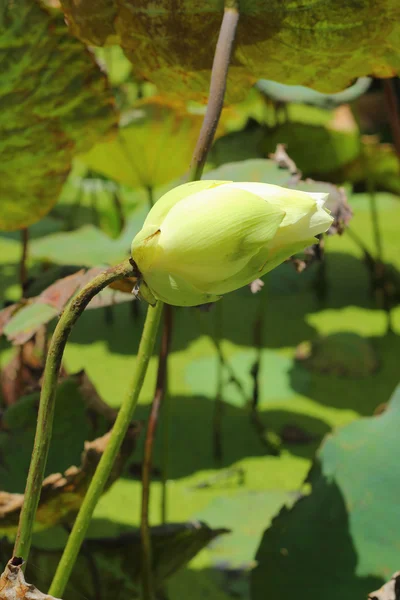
[212, 235]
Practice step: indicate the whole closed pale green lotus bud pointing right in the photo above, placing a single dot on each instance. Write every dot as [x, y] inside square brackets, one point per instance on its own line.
[207, 238]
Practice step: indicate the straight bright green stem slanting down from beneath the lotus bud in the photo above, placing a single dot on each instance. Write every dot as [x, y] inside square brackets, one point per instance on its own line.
[106, 463]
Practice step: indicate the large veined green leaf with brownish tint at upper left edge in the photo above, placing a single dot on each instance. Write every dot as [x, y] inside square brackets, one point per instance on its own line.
[54, 102]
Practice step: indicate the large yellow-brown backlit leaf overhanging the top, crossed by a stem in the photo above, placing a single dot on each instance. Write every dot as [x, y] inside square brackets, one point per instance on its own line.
[323, 45]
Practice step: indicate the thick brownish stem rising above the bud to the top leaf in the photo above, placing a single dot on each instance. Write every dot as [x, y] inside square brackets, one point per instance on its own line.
[219, 73]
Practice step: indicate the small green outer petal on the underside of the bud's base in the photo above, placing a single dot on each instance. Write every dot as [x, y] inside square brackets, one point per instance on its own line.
[176, 291]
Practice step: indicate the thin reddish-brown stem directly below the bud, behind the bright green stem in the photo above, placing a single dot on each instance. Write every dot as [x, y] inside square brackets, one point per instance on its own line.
[161, 385]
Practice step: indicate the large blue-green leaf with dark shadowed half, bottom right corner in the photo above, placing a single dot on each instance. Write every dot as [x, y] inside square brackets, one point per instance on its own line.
[341, 540]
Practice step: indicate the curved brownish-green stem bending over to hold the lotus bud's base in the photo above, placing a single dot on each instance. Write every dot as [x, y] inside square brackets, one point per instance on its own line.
[47, 401]
